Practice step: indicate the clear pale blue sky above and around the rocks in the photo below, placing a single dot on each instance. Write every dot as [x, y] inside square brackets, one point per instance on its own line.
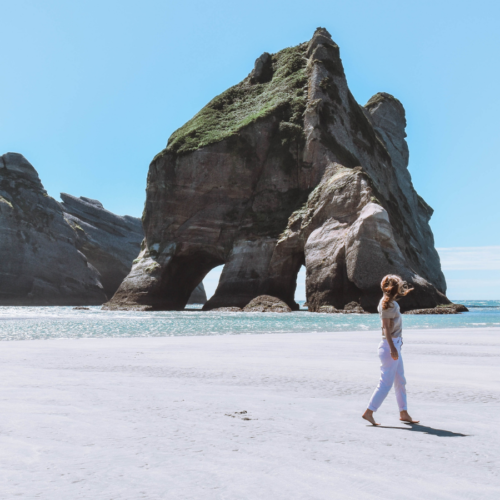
[91, 91]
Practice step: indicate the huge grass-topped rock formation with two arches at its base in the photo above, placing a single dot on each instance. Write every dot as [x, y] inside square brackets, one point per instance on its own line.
[281, 170]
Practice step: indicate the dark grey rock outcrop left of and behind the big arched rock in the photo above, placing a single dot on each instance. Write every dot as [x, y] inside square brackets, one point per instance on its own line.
[70, 253]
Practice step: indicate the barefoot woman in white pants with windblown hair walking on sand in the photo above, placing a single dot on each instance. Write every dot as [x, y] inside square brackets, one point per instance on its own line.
[389, 350]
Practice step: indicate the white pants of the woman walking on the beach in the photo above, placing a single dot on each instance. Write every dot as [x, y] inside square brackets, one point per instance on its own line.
[391, 372]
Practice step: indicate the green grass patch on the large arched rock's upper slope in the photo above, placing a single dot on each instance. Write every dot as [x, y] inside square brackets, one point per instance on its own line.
[245, 103]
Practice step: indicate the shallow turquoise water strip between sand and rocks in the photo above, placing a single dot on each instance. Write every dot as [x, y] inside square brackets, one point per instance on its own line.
[22, 323]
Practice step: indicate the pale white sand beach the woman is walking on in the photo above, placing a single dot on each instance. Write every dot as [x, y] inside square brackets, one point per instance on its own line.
[155, 418]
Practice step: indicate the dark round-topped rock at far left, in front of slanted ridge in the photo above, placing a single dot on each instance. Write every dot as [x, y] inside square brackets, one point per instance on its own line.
[39, 261]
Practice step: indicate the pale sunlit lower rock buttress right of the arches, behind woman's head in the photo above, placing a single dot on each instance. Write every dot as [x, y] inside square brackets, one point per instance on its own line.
[349, 245]
